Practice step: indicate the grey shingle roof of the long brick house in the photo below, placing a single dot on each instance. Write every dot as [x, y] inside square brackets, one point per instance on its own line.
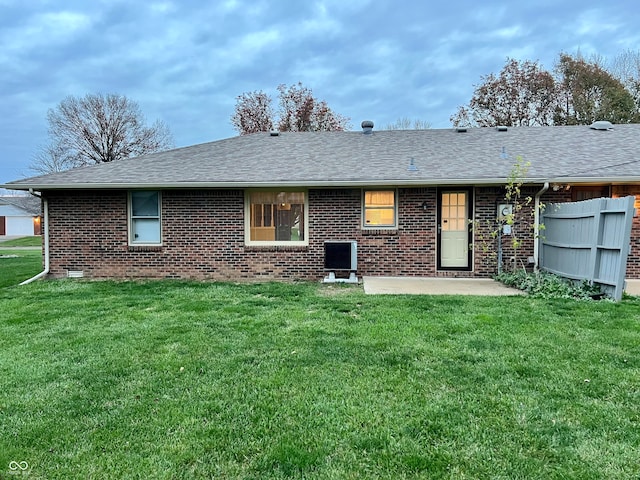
[569, 153]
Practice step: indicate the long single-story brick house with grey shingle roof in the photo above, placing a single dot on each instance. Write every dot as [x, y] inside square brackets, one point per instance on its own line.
[262, 206]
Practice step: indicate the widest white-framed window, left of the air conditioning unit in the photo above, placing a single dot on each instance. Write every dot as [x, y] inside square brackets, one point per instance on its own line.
[276, 217]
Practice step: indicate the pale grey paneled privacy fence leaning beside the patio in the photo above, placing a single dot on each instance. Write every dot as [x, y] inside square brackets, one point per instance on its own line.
[588, 240]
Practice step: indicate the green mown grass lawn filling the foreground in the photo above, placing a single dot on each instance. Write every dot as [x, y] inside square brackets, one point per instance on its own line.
[208, 380]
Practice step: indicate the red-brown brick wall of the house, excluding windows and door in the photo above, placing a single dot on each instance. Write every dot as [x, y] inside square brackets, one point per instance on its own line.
[203, 237]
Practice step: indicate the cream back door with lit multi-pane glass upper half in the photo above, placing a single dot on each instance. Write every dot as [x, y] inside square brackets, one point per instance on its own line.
[454, 229]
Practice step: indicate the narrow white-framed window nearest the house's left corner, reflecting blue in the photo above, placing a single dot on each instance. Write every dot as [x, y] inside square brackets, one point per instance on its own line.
[144, 218]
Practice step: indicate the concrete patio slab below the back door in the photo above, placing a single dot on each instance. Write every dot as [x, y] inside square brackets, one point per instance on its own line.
[436, 286]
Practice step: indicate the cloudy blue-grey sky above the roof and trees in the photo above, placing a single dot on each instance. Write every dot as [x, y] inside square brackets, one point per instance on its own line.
[185, 62]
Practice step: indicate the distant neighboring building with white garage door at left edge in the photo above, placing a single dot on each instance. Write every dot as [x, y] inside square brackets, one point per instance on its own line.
[19, 215]
